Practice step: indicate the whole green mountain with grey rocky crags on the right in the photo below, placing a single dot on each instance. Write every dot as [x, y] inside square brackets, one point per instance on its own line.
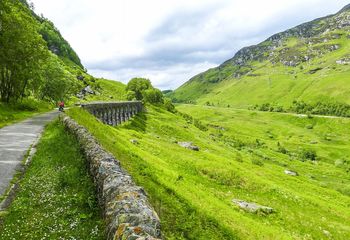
[309, 62]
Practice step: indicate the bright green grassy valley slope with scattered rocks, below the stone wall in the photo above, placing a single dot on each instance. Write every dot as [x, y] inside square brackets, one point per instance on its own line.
[192, 191]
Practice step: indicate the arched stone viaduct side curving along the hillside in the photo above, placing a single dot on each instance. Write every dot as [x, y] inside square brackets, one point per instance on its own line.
[113, 113]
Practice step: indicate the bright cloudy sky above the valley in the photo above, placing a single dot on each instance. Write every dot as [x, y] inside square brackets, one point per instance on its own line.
[171, 41]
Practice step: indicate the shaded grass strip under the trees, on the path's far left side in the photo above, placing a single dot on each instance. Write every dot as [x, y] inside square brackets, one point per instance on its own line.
[10, 113]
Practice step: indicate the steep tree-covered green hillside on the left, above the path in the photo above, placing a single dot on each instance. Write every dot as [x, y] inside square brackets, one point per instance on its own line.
[38, 64]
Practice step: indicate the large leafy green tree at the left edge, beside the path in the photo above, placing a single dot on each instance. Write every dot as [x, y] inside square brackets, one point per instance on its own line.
[22, 50]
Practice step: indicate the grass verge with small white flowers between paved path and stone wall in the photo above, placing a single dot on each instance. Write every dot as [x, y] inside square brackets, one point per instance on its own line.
[56, 197]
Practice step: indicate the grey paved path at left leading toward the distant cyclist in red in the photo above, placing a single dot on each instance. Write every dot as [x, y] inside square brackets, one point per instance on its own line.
[15, 141]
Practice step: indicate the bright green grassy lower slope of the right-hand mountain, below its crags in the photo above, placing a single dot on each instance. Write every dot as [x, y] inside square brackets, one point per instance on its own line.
[267, 83]
